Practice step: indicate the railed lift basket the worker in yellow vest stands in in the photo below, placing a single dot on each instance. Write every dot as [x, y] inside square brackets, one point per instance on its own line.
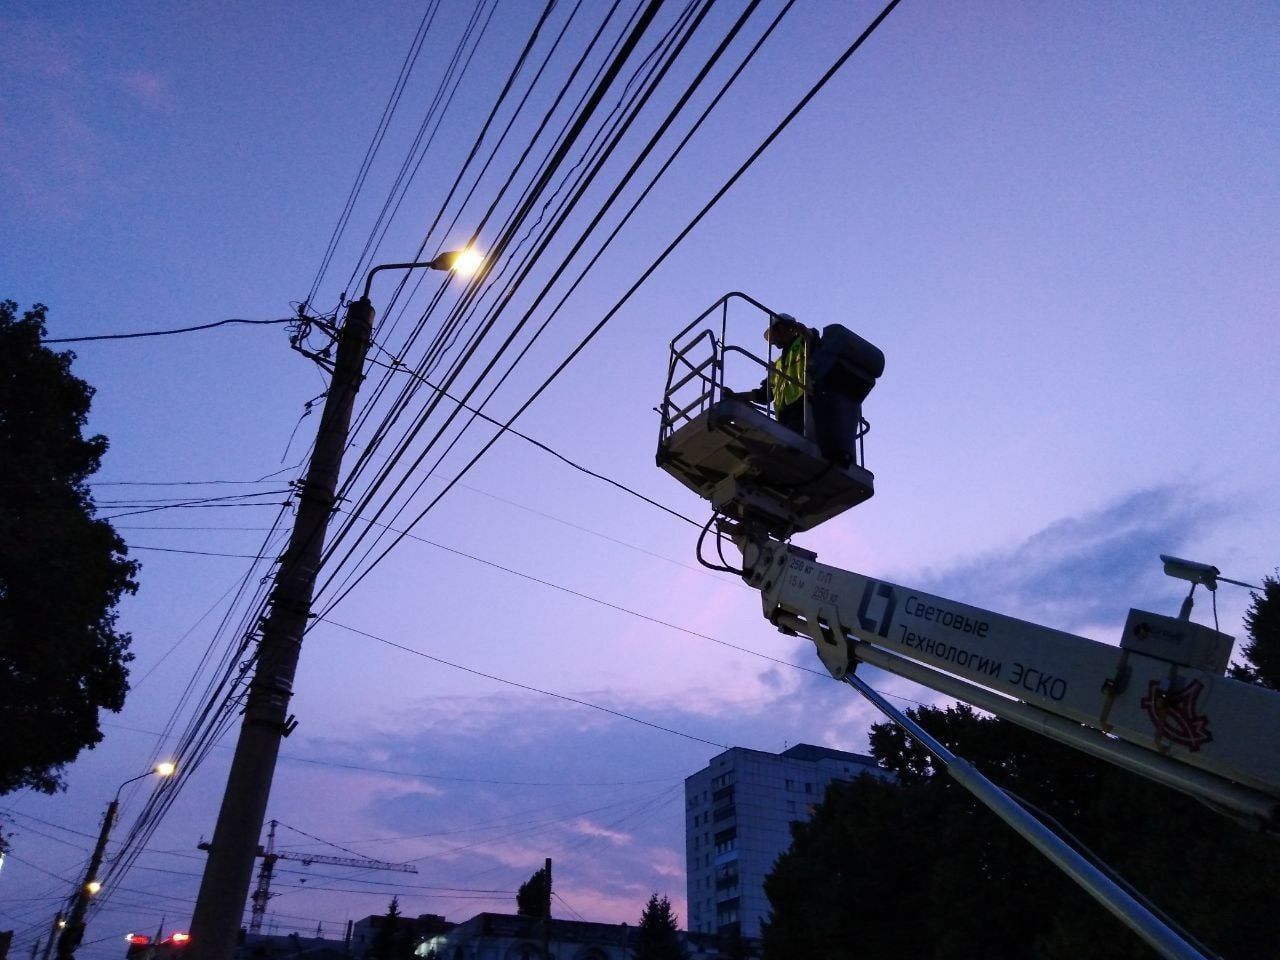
[734, 452]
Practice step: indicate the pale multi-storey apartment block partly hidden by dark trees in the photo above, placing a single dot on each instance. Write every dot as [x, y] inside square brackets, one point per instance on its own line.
[738, 821]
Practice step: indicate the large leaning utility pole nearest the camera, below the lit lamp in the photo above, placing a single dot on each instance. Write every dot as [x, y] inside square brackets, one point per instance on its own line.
[221, 904]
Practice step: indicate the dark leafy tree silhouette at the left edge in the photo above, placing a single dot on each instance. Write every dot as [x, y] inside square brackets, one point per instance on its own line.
[62, 570]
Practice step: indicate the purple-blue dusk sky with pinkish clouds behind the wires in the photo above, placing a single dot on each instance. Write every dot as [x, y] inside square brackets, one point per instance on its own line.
[1058, 221]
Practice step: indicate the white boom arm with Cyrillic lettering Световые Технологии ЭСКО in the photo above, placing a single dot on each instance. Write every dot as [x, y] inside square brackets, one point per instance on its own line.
[1159, 705]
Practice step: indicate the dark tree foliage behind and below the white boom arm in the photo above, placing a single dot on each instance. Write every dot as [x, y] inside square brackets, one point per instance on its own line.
[916, 867]
